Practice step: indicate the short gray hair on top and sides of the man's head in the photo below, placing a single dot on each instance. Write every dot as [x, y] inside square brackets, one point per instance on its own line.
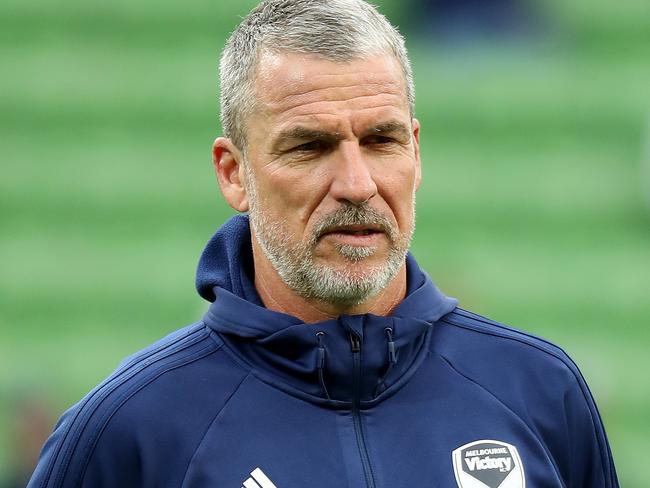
[336, 30]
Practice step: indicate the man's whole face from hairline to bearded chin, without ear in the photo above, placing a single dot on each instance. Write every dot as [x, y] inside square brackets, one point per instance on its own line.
[331, 173]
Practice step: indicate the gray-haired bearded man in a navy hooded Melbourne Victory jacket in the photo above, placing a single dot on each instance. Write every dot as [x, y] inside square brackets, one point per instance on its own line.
[328, 358]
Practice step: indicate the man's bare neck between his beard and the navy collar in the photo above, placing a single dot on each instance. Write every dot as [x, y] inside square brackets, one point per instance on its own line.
[277, 296]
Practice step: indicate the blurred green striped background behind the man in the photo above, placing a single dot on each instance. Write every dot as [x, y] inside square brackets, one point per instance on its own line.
[534, 209]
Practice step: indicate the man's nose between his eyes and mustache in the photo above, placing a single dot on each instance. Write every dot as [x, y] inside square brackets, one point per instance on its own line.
[352, 180]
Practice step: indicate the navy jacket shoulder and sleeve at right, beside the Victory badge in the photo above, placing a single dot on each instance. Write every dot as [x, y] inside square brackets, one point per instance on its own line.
[538, 382]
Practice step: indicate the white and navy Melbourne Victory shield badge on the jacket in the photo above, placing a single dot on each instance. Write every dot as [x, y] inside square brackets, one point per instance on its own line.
[488, 464]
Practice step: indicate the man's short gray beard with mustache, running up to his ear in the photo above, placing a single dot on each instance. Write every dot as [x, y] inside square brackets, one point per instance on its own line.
[295, 262]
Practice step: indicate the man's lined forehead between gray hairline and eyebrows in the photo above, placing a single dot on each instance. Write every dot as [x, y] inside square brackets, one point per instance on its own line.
[294, 87]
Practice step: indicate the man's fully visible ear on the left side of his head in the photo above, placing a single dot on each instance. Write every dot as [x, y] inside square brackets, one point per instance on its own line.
[227, 161]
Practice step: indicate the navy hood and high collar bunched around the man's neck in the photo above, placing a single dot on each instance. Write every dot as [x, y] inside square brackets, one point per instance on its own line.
[315, 361]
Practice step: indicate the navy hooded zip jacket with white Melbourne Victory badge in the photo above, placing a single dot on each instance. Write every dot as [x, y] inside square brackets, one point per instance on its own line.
[430, 396]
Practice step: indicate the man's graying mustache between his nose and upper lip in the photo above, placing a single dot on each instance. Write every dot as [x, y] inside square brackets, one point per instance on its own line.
[362, 215]
